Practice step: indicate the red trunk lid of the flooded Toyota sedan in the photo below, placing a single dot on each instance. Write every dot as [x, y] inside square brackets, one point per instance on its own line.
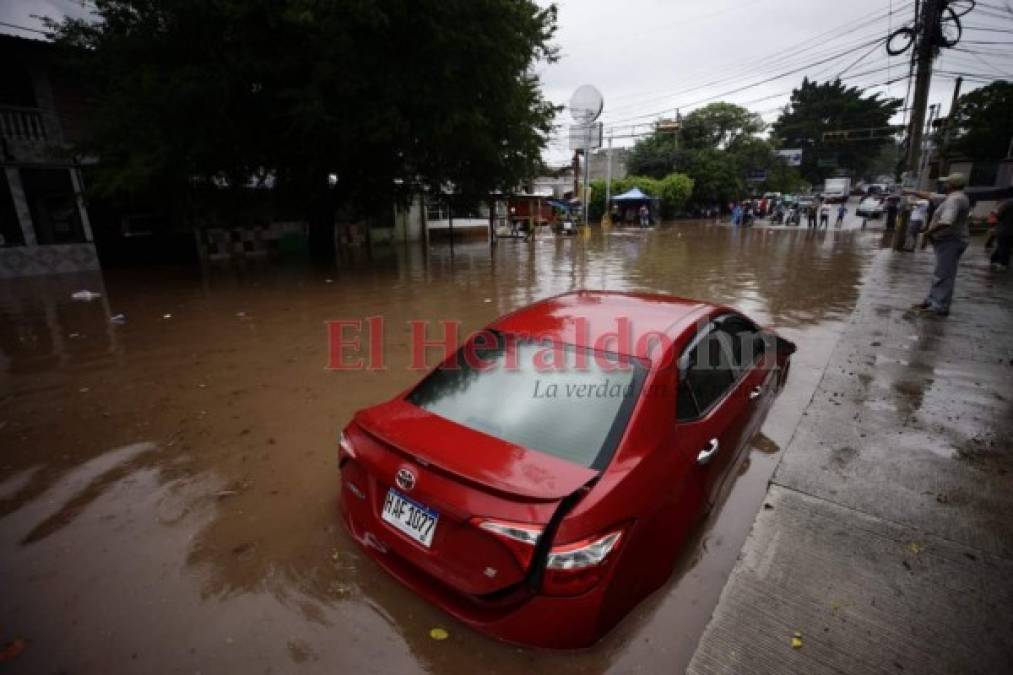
[463, 476]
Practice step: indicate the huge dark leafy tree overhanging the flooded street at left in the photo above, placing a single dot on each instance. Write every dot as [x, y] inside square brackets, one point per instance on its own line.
[193, 95]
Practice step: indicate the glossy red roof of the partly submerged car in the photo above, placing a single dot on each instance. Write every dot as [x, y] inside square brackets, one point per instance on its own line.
[597, 314]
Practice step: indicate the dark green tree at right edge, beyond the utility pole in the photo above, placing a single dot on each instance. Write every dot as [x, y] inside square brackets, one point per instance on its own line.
[983, 123]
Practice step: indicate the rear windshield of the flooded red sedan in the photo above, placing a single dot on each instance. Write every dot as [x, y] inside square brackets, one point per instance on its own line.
[565, 401]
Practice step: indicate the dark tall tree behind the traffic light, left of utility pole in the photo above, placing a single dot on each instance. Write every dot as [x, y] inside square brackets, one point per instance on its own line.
[816, 109]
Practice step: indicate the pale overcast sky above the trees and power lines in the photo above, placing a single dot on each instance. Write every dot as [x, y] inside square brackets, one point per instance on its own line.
[651, 57]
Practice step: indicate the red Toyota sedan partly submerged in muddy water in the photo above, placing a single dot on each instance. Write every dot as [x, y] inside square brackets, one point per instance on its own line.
[537, 485]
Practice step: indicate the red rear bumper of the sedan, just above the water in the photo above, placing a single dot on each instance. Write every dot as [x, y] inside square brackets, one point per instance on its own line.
[516, 617]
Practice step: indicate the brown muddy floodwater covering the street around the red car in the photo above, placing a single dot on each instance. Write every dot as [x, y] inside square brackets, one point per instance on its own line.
[169, 484]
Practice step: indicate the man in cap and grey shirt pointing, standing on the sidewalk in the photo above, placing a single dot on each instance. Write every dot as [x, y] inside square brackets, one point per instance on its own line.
[949, 234]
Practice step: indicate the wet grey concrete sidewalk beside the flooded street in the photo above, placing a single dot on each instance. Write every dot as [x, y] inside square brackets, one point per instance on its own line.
[887, 537]
